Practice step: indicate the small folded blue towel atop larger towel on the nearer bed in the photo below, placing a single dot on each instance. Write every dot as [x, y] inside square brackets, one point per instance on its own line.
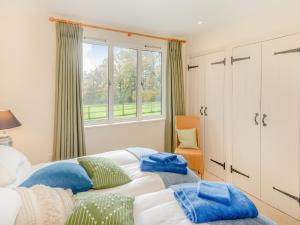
[214, 191]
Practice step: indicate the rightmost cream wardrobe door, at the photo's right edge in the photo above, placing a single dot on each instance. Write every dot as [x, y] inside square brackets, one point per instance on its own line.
[281, 133]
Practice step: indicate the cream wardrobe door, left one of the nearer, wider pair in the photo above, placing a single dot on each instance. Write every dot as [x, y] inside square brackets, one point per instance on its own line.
[246, 118]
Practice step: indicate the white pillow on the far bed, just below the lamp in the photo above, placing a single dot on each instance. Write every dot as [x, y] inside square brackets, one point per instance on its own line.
[13, 164]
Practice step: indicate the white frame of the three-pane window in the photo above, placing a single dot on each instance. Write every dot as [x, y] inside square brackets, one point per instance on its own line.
[139, 48]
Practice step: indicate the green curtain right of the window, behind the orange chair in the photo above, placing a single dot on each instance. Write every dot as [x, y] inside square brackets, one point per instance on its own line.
[175, 104]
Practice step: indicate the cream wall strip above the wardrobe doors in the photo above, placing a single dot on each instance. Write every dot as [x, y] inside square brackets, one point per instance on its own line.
[274, 22]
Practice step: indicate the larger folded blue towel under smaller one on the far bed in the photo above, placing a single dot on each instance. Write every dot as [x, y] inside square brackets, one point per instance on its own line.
[149, 165]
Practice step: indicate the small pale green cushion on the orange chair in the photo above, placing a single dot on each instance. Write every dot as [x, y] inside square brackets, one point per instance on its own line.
[187, 138]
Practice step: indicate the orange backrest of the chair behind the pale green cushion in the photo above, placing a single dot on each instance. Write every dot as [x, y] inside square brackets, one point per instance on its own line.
[188, 122]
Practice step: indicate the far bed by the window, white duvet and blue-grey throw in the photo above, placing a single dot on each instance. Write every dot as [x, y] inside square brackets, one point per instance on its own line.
[128, 160]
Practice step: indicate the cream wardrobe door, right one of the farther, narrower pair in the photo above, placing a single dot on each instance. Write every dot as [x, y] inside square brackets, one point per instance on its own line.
[214, 93]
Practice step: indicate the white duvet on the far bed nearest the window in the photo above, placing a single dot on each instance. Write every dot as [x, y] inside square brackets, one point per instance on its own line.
[142, 182]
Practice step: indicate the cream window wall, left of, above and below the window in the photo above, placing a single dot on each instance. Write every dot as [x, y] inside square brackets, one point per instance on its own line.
[27, 76]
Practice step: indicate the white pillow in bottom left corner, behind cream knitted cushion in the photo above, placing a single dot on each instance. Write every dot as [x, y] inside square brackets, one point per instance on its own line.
[10, 205]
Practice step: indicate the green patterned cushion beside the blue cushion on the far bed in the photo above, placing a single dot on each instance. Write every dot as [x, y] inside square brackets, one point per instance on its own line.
[104, 172]
